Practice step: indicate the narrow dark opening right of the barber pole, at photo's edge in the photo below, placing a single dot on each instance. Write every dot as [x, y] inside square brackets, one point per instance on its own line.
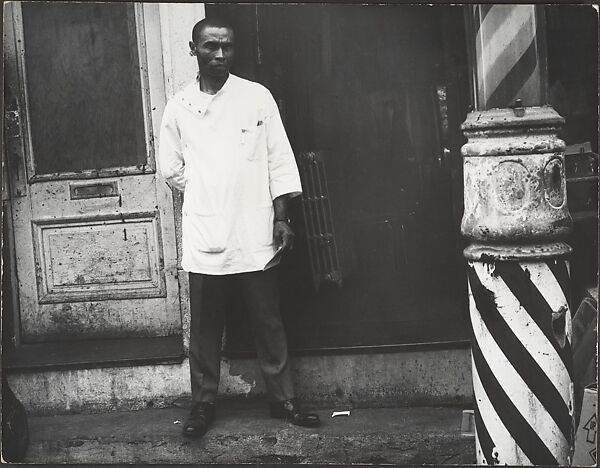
[572, 44]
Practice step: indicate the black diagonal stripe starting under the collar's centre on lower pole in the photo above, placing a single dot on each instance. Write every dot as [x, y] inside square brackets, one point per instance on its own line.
[535, 305]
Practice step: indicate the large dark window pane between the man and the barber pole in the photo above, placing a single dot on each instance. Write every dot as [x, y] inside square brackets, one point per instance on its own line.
[364, 87]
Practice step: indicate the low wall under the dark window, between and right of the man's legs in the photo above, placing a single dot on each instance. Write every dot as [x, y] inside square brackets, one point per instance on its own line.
[378, 379]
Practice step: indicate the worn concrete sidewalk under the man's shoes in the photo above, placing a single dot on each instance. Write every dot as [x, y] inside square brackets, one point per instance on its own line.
[244, 433]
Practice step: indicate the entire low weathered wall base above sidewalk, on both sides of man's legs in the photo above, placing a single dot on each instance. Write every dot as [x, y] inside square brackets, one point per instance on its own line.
[392, 379]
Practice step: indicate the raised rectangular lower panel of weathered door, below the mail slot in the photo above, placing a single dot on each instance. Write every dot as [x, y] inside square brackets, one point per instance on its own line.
[87, 259]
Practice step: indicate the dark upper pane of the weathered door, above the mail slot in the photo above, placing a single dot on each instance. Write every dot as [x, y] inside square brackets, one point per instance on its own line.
[81, 74]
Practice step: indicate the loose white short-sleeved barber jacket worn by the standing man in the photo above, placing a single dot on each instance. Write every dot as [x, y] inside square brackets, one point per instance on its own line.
[230, 155]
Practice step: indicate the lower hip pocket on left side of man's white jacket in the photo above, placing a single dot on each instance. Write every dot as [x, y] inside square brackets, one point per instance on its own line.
[204, 232]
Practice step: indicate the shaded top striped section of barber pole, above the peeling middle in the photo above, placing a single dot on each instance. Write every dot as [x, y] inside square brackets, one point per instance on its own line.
[510, 61]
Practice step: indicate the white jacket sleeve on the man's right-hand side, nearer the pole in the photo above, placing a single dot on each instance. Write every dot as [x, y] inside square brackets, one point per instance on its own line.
[283, 171]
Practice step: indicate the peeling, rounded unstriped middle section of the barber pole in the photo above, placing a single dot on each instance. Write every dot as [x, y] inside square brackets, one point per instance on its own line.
[514, 176]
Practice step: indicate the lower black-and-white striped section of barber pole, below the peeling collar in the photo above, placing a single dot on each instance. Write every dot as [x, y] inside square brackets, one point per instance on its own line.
[522, 362]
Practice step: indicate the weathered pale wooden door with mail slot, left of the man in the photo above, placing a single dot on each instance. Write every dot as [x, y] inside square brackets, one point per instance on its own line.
[93, 228]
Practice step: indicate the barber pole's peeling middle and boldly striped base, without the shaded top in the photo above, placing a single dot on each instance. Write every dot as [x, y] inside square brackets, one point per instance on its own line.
[516, 218]
